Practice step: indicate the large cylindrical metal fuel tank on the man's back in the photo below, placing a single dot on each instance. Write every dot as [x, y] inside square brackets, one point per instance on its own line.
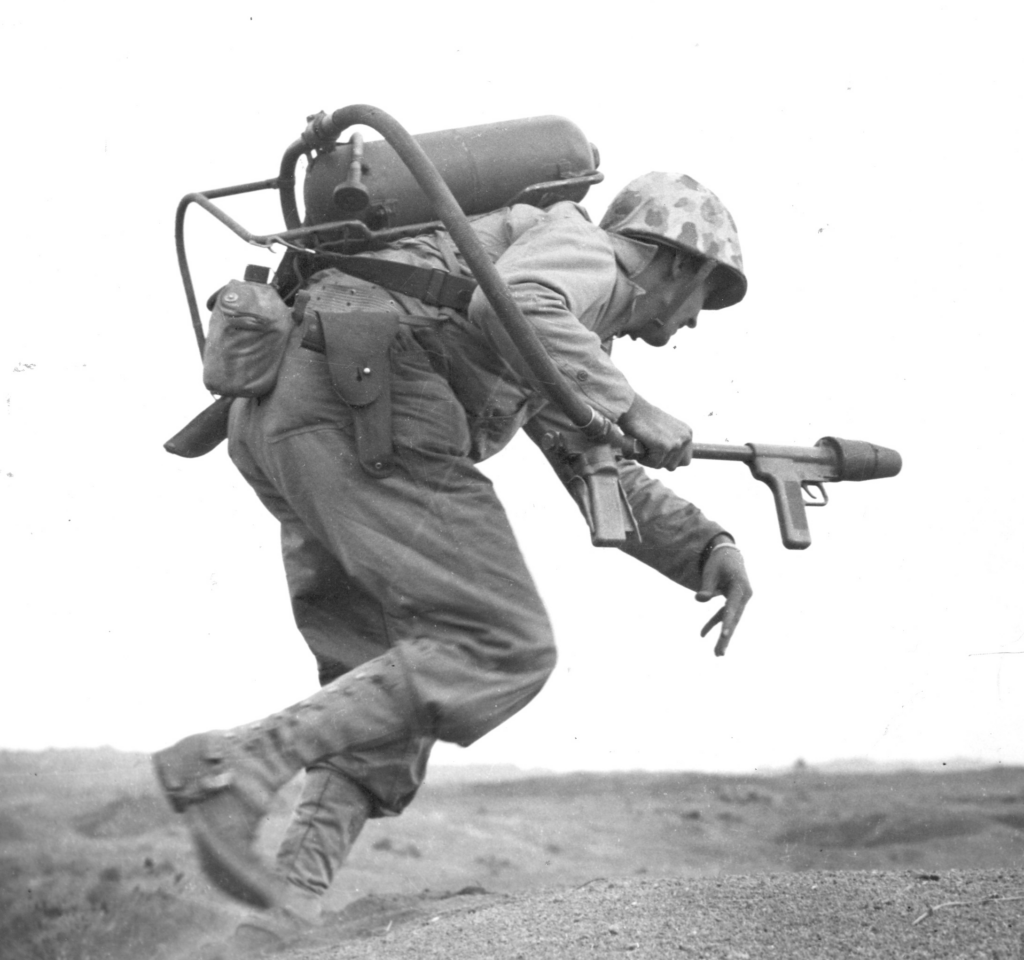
[485, 167]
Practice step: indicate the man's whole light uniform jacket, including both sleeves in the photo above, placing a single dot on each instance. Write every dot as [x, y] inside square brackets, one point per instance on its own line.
[575, 284]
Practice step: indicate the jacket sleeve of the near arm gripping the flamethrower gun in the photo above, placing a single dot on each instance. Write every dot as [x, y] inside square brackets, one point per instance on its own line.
[561, 271]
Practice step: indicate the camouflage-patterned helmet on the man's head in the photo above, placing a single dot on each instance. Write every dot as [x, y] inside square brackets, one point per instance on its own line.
[674, 209]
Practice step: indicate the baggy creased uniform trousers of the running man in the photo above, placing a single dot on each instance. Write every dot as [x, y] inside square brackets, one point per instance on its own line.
[419, 572]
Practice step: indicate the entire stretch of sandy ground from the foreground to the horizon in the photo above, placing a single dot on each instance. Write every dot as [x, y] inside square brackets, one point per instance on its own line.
[803, 864]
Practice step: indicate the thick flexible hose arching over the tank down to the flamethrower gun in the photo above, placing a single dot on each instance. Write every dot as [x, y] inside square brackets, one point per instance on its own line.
[325, 130]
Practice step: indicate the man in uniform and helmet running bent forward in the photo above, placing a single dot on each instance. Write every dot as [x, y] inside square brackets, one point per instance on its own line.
[410, 589]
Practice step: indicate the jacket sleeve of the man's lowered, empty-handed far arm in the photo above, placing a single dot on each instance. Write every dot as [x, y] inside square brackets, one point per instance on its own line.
[673, 533]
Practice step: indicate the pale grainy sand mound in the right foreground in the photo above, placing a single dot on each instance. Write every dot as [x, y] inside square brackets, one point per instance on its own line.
[878, 914]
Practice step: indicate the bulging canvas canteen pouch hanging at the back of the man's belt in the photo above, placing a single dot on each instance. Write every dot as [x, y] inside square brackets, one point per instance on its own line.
[246, 342]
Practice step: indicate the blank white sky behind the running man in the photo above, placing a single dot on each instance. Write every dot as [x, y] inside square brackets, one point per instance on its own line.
[871, 154]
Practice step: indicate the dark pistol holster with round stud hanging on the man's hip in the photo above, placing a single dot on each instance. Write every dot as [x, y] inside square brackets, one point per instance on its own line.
[355, 324]
